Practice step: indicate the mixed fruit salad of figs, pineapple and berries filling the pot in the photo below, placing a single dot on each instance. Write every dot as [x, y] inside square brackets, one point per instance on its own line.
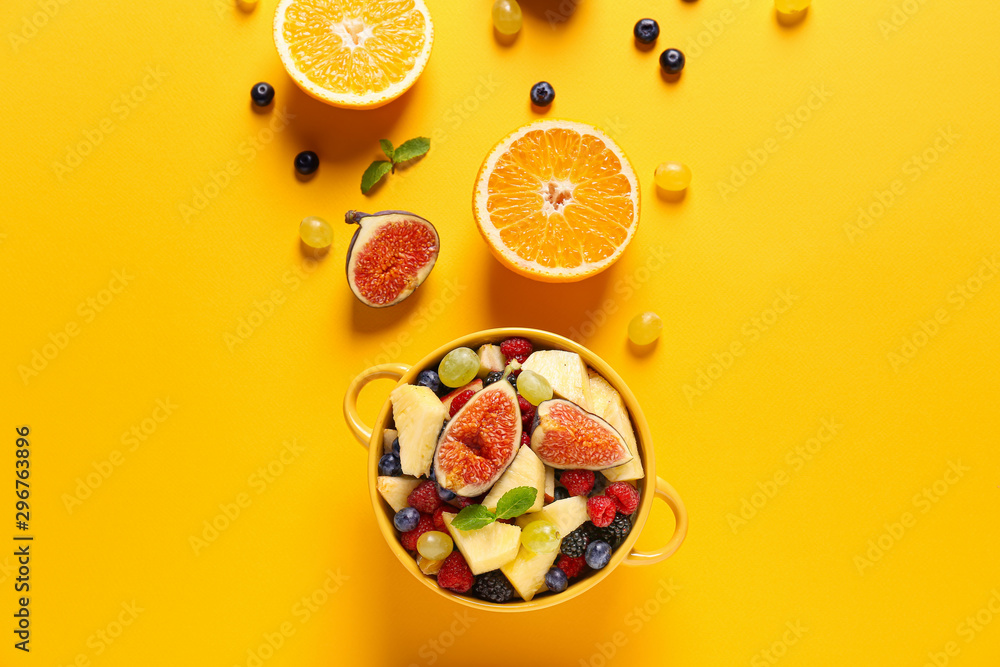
[512, 471]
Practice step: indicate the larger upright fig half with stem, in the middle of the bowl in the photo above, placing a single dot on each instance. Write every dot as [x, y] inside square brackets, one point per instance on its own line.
[480, 441]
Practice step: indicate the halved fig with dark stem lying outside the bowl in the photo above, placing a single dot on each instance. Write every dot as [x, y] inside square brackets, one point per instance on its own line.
[391, 254]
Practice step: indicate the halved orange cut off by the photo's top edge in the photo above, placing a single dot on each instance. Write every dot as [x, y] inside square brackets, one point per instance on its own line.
[354, 53]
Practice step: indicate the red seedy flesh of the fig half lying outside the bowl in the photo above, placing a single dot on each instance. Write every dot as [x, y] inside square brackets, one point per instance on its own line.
[389, 262]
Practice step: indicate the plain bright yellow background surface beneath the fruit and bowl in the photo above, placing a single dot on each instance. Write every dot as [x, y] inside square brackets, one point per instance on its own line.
[192, 280]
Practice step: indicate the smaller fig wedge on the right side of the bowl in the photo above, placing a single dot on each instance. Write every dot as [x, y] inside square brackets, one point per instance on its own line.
[567, 436]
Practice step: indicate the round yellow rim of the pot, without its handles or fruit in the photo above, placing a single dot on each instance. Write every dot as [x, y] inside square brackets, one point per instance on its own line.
[541, 340]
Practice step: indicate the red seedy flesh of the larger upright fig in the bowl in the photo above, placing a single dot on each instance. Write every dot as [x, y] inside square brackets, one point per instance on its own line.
[478, 440]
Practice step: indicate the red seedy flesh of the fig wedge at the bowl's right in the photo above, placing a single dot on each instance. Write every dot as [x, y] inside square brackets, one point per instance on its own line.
[572, 438]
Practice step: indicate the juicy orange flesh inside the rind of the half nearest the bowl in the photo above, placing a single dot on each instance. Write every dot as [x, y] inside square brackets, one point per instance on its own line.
[559, 198]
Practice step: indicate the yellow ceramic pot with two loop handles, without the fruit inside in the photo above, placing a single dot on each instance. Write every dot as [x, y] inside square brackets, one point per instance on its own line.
[651, 485]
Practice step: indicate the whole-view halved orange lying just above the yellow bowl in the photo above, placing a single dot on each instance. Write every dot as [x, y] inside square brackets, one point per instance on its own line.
[557, 201]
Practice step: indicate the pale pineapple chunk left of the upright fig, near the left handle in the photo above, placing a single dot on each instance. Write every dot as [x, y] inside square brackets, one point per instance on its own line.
[419, 415]
